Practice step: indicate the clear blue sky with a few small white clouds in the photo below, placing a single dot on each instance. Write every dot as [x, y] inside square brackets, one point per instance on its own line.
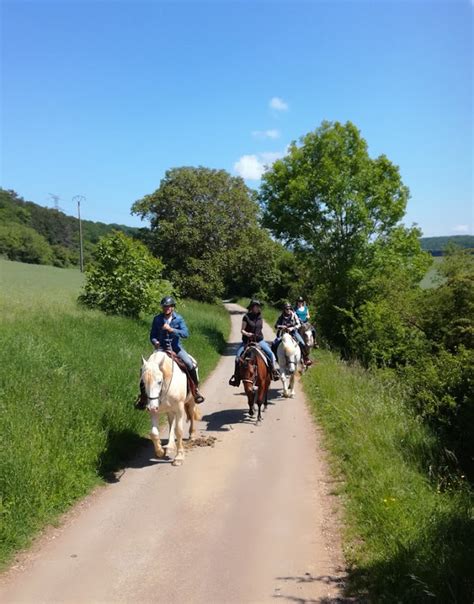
[100, 98]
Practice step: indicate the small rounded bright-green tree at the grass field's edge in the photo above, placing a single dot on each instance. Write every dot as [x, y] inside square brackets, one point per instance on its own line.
[125, 279]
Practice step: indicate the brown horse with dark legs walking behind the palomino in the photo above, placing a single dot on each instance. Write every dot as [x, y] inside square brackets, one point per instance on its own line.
[255, 375]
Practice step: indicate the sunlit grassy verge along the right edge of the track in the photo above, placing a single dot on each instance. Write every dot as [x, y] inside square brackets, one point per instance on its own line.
[405, 539]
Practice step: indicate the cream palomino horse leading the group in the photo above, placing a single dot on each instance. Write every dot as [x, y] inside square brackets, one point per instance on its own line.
[166, 390]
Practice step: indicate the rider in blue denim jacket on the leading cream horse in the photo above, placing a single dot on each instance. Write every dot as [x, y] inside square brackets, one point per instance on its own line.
[166, 330]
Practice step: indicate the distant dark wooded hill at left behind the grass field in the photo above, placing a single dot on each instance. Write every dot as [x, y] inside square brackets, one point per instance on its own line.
[35, 234]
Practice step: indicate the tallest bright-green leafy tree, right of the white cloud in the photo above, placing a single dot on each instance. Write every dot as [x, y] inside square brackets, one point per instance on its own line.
[341, 210]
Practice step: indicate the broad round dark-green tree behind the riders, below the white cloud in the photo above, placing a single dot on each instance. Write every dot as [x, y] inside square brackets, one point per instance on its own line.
[204, 225]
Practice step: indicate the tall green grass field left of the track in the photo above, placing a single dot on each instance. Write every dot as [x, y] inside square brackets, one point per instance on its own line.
[68, 380]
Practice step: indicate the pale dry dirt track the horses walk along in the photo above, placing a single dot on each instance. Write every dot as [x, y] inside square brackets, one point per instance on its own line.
[247, 520]
